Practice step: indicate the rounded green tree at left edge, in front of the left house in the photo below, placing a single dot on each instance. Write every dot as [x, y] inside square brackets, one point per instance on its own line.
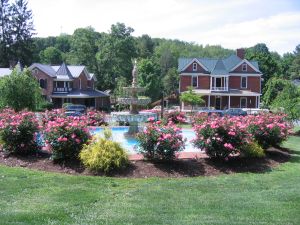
[20, 90]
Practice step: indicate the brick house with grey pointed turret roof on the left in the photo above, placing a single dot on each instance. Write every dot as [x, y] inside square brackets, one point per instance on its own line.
[69, 84]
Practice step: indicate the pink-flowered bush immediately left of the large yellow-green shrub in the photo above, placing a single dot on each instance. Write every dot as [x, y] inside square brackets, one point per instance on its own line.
[66, 136]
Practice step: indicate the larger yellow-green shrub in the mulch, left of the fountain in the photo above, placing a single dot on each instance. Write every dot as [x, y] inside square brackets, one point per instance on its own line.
[104, 155]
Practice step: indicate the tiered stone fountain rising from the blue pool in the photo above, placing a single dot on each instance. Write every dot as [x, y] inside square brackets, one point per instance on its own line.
[133, 117]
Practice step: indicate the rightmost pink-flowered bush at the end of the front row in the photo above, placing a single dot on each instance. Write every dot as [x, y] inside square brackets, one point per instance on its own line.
[268, 129]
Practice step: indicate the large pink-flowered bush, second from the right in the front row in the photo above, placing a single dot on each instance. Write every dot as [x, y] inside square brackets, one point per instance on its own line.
[221, 136]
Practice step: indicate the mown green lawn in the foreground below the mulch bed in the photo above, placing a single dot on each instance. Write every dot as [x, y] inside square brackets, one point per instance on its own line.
[32, 197]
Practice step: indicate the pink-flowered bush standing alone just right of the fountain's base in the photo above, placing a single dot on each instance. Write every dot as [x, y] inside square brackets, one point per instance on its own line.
[160, 142]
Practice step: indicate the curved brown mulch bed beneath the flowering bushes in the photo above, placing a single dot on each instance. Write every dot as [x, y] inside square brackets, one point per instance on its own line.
[143, 169]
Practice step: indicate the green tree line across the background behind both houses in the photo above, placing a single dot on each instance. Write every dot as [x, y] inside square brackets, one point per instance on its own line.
[109, 54]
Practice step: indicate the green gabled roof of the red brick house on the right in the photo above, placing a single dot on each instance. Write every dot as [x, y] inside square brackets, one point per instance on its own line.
[217, 66]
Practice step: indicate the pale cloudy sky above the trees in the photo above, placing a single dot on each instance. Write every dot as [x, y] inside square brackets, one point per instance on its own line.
[229, 23]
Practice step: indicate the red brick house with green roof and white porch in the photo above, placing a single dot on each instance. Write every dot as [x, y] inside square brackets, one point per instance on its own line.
[232, 82]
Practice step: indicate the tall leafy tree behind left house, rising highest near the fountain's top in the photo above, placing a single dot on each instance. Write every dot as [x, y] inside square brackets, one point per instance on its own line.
[116, 51]
